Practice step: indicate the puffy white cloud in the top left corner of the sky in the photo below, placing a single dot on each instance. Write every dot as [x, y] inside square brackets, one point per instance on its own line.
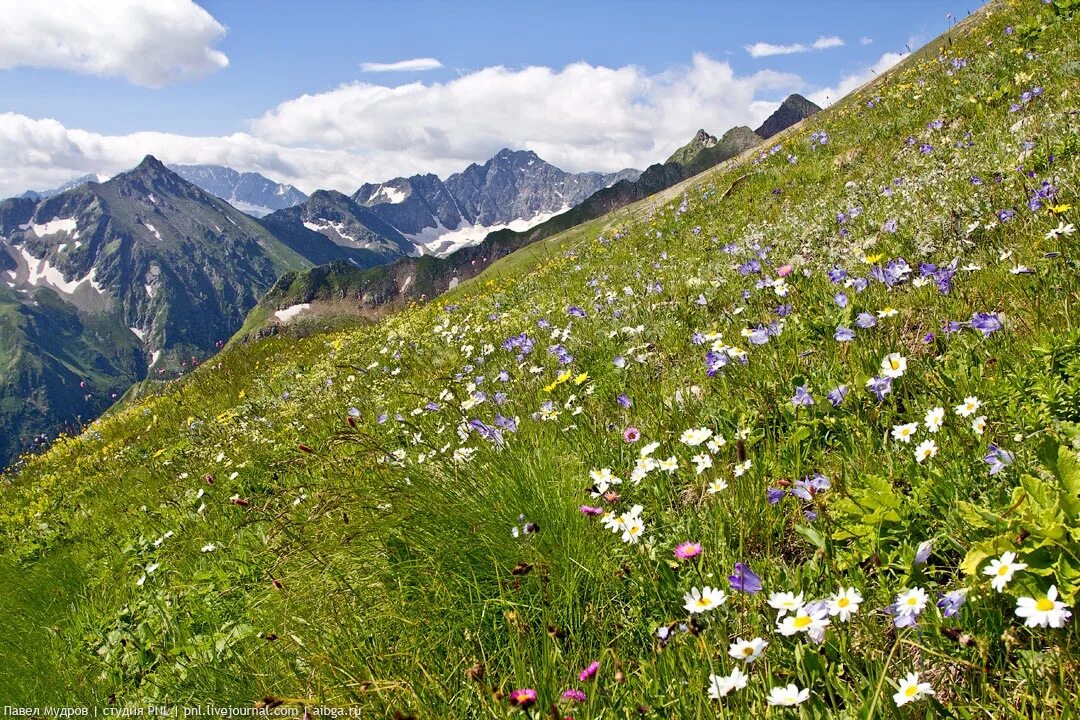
[150, 44]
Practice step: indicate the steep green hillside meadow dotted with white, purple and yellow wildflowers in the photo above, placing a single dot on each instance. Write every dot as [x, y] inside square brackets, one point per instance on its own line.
[850, 364]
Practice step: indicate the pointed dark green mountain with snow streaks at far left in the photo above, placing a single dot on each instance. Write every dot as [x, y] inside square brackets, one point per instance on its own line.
[174, 268]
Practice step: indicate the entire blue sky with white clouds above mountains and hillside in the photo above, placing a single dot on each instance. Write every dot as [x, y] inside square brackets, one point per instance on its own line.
[682, 55]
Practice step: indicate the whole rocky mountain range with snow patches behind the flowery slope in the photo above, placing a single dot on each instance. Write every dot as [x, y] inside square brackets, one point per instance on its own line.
[106, 283]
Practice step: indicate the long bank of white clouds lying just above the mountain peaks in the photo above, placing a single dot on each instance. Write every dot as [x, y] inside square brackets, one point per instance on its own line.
[582, 117]
